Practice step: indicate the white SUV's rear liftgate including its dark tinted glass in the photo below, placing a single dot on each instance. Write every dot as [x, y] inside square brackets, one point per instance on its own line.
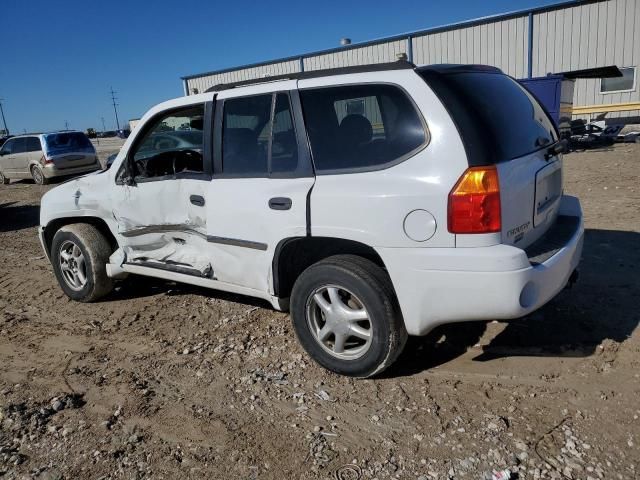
[503, 124]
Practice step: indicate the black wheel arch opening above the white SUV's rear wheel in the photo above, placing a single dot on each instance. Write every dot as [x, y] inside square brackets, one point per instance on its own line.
[293, 255]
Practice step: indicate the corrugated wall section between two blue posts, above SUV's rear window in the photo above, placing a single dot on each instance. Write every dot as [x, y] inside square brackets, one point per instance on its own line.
[502, 44]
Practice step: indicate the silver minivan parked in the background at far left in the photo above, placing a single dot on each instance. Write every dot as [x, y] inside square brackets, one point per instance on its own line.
[47, 155]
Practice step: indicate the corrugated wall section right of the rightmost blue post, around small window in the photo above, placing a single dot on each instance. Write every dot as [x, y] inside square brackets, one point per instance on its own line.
[587, 36]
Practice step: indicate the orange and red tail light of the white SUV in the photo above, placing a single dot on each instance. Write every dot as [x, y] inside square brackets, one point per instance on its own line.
[474, 202]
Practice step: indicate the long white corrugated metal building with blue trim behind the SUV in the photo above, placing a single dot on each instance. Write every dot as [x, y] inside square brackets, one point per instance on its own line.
[565, 37]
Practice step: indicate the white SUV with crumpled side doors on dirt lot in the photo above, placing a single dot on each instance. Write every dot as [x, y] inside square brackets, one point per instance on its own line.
[375, 202]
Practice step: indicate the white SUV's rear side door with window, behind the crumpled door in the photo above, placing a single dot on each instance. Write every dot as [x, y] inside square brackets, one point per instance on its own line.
[261, 182]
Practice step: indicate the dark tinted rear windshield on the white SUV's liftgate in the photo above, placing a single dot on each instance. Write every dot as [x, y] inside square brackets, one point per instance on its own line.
[498, 119]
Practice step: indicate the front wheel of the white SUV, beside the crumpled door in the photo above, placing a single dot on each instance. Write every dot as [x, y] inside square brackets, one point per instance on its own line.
[85, 240]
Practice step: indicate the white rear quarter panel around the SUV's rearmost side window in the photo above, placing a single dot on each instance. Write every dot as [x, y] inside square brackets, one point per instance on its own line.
[370, 207]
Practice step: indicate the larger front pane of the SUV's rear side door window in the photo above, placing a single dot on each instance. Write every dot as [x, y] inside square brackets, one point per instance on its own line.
[246, 127]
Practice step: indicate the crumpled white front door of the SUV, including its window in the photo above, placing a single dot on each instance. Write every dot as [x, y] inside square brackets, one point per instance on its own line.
[159, 197]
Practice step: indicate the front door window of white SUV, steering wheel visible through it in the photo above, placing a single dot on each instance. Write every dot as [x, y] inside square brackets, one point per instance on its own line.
[172, 145]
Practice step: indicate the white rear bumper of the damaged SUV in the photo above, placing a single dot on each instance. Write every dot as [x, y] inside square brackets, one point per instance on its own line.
[445, 285]
